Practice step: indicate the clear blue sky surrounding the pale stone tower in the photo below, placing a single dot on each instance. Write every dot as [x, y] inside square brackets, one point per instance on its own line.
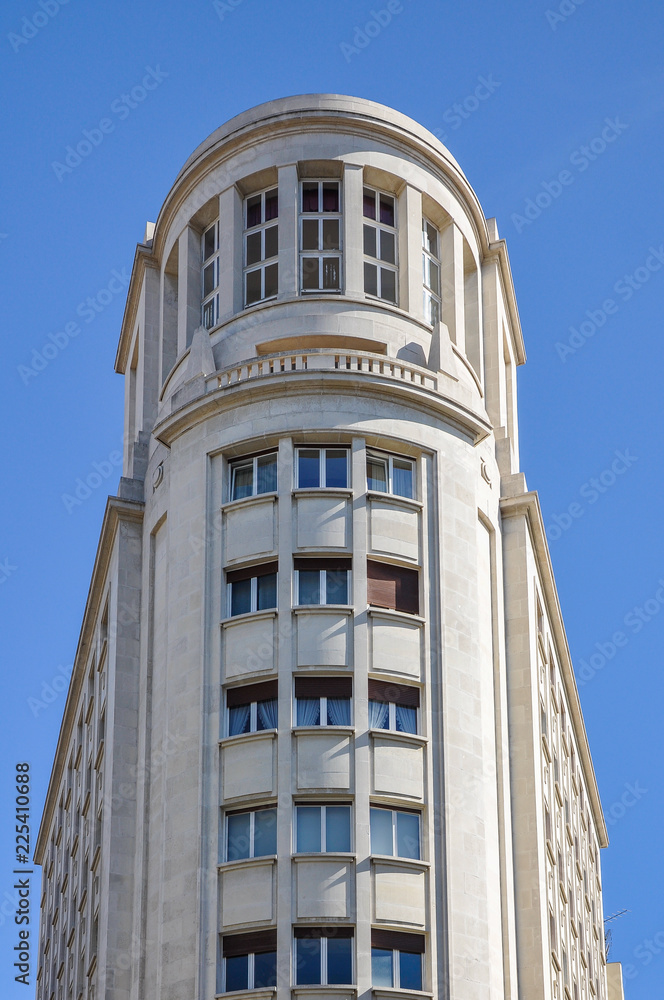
[564, 147]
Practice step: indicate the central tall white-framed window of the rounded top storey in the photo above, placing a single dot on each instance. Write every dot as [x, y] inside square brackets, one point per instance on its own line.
[320, 237]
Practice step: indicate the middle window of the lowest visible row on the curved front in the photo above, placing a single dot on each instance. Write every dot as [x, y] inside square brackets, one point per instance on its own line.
[323, 956]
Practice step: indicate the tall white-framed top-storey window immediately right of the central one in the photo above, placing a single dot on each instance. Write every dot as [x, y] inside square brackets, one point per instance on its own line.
[380, 245]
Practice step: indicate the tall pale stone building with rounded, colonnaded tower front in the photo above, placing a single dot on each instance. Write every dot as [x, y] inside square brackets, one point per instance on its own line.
[323, 738]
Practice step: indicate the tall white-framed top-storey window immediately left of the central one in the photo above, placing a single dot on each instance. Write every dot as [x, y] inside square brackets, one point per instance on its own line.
[261, 246]
